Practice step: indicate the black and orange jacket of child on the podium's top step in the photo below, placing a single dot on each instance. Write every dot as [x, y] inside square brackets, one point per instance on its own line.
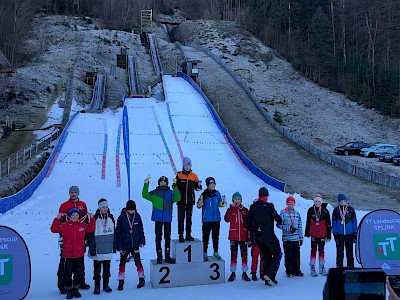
[187, 182]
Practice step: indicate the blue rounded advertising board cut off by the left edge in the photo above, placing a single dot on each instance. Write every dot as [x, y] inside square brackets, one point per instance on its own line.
[15, 265]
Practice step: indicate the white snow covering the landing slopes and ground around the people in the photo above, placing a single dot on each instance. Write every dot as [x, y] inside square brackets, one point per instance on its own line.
[80, 162]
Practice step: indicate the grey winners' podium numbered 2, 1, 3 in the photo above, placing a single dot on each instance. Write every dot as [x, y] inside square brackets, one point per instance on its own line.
[189, 269]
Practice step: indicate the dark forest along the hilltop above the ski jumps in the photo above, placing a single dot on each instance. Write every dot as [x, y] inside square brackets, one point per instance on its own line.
[349, 46]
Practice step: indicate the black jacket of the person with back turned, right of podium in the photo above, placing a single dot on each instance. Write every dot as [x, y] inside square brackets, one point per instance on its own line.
[262, 215]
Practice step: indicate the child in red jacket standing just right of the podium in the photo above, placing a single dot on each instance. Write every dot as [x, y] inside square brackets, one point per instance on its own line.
[236, 216]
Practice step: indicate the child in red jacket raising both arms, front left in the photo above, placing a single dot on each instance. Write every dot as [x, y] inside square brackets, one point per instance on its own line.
[73, 233]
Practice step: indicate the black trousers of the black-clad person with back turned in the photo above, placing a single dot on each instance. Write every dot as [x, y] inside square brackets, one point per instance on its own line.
[271, 252]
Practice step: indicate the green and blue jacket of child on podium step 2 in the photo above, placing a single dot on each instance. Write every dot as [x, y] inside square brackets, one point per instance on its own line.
[162, 199]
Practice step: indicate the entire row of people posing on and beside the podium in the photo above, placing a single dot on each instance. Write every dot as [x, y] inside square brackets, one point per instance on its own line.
[252, 227]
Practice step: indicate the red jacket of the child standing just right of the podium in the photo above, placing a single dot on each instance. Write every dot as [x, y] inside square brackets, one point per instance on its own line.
[236, 216]
